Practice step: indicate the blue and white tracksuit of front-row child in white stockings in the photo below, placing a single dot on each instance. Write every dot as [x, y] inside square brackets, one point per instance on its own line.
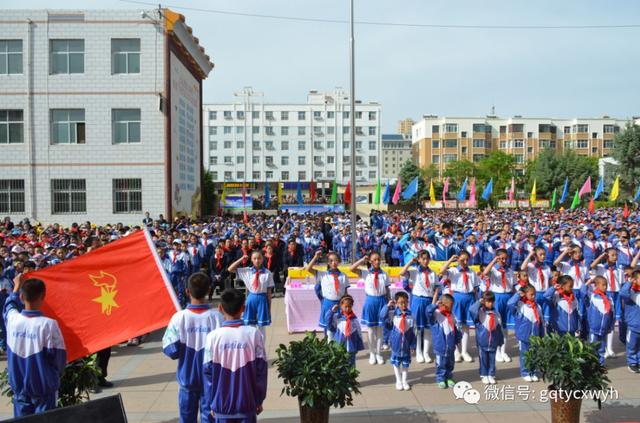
[401, 339]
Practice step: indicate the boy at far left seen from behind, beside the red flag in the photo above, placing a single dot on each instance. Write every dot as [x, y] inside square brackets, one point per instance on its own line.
[36, 355]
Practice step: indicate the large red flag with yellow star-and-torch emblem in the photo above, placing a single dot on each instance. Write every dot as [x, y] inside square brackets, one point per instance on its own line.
[108, 295]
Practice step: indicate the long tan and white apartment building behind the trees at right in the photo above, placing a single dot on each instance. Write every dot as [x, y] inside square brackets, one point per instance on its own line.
[441, 140]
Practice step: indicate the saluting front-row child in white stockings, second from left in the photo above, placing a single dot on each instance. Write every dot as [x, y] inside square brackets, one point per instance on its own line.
[397, 317]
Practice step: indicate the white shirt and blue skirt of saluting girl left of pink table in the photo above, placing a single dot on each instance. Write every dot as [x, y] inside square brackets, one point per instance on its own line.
[257, 311]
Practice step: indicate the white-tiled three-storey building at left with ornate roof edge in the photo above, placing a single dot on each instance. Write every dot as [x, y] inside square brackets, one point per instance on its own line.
[99, 115]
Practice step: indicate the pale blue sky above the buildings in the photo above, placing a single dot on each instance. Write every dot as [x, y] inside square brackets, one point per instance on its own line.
[416, 71]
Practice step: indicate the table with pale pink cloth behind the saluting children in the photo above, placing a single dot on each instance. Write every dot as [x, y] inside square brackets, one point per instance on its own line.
[302, 306]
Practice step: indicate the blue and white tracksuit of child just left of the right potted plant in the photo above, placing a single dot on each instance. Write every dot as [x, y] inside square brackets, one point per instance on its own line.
[526, 326]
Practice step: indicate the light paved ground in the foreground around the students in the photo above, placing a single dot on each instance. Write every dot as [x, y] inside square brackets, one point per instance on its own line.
[146, 380]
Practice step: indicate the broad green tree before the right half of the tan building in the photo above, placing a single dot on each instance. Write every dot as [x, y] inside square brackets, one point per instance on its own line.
[550, 169]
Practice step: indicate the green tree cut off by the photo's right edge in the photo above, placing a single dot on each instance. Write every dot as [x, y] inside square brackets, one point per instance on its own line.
[626, 150]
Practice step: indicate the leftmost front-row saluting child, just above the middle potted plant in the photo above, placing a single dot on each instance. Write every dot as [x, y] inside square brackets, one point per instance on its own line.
[344, 324]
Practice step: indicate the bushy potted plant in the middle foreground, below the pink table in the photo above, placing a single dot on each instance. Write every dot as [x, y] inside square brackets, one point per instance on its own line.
[318, 373]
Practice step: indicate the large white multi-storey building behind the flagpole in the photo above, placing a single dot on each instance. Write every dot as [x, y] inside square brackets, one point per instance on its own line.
[254, 141]
